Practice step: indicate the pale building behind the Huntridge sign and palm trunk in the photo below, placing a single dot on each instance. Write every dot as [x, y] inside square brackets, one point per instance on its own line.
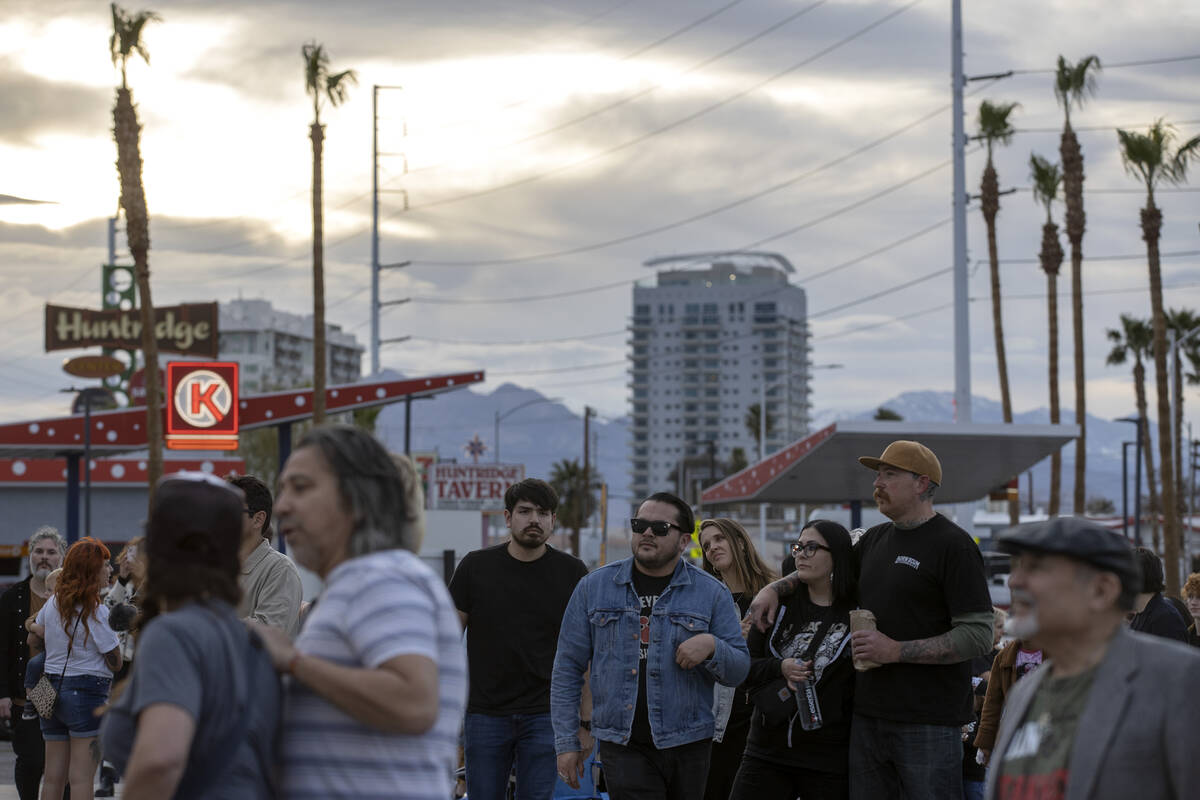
[275, 347]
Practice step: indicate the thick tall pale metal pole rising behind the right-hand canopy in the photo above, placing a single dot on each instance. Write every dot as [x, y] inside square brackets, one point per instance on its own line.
[962, 312]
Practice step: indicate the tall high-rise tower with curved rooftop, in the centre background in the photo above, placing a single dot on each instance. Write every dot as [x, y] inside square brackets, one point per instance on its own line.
[711, 335]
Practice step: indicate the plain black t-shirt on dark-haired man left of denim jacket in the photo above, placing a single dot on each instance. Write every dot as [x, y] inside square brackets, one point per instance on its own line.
[514, 610]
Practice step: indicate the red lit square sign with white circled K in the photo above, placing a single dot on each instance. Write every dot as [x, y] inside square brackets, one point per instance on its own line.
[202, 412]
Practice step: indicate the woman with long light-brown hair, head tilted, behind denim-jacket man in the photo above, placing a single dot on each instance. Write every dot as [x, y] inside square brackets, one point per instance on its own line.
[731, 556]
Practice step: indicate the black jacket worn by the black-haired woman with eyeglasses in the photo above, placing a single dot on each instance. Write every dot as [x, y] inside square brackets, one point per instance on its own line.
[829, 748]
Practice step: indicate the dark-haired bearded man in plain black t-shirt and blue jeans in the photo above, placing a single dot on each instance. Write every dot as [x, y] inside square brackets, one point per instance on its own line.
[511, 599]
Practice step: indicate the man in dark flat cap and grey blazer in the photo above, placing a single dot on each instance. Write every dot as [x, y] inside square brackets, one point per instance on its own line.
[1112, 714]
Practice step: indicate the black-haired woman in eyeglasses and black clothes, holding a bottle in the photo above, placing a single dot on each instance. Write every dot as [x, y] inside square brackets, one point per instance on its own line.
[809, 642]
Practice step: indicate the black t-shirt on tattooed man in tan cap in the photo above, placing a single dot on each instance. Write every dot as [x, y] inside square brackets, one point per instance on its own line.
[914, 582]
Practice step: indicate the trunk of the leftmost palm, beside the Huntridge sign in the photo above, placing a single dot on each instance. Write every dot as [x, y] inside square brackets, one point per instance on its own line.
[128, 133]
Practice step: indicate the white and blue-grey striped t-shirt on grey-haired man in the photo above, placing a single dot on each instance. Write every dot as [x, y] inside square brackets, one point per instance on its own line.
[375, 609]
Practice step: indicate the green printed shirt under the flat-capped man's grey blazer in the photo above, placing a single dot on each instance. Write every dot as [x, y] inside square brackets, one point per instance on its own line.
[1036, 766]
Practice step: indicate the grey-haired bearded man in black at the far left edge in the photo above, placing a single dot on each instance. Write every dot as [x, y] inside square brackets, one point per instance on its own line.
[22, 601]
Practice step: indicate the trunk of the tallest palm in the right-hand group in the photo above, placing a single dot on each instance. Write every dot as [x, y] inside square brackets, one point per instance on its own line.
[1077, 222]
